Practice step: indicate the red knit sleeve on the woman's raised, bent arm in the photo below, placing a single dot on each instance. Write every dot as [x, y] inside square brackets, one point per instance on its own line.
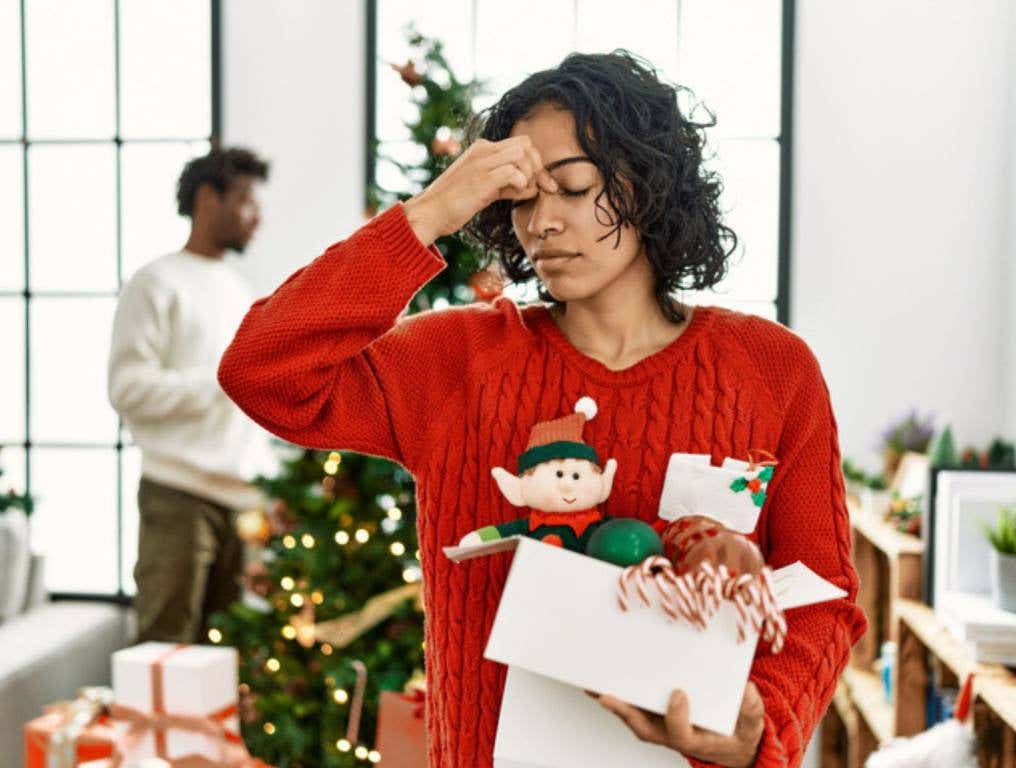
[326, 362]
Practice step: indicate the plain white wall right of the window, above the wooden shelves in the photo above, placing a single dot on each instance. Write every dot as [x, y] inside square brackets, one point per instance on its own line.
[903, 153]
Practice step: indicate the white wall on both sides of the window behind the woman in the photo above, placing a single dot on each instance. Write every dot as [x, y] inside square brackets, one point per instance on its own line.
[905, 269]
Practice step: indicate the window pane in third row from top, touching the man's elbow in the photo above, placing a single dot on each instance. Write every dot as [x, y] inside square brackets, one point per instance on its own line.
[71, 348]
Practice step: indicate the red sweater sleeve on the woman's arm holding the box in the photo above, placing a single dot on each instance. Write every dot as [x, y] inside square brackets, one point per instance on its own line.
[806, 520]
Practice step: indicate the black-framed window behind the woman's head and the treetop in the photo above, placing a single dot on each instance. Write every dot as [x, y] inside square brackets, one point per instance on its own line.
[736, 55]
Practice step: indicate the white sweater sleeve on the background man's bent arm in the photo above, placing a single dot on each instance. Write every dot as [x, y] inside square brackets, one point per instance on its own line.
[141, 388]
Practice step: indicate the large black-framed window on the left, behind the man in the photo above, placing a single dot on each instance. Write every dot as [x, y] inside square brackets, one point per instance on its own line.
[102, 102]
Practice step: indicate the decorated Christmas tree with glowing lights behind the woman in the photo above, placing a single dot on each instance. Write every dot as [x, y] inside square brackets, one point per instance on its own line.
[332, 614]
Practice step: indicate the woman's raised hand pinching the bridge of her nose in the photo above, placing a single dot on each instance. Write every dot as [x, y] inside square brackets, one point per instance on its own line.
[488, 171]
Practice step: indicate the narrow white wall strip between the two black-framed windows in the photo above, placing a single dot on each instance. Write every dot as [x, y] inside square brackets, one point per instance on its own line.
[294, 90]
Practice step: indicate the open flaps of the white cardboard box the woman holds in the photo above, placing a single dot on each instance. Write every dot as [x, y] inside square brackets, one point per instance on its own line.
[559, 618]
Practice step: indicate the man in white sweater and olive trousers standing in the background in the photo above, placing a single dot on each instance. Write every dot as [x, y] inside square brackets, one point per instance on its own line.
[174, 321]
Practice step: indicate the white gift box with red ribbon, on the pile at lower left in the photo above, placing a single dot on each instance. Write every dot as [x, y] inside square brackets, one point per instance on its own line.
[198, 680]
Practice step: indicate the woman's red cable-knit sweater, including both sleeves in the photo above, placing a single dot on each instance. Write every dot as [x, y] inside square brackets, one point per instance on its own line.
[328, 362]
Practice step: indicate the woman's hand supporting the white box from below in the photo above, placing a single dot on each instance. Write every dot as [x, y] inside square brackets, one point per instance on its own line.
[675, 730]
